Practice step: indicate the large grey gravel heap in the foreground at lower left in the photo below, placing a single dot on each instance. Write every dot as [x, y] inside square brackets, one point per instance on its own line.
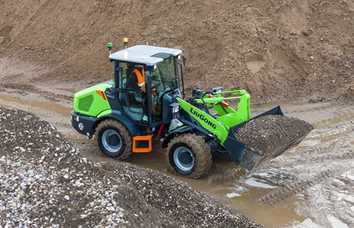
[44, 181]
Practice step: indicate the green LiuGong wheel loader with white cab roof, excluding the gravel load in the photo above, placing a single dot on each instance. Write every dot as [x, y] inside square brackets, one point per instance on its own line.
[126, 120]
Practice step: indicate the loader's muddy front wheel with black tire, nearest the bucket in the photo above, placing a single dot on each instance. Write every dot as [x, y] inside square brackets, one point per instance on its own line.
[195, 146]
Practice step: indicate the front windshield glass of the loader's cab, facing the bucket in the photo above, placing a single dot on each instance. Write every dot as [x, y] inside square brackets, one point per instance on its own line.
[164, 76]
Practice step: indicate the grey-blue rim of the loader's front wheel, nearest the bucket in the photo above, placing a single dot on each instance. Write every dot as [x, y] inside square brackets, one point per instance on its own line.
[184, 159]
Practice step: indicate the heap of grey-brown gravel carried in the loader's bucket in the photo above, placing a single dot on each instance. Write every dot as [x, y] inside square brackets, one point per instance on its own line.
[269, 136]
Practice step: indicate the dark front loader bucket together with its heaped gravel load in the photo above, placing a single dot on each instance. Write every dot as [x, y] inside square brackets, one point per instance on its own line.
[264, 137]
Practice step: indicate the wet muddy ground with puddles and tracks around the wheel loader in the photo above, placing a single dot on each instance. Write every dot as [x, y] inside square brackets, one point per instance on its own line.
[311, 183]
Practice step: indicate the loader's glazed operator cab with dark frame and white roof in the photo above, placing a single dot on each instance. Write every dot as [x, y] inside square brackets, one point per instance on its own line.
[162, 69]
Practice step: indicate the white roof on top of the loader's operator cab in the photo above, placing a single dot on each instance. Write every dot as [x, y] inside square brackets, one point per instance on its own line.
[144, 54]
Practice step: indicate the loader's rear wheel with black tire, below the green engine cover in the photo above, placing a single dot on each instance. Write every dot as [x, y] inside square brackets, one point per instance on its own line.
[119, 133]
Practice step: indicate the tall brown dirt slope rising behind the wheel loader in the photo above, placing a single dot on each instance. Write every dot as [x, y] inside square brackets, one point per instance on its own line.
[277, 49]
